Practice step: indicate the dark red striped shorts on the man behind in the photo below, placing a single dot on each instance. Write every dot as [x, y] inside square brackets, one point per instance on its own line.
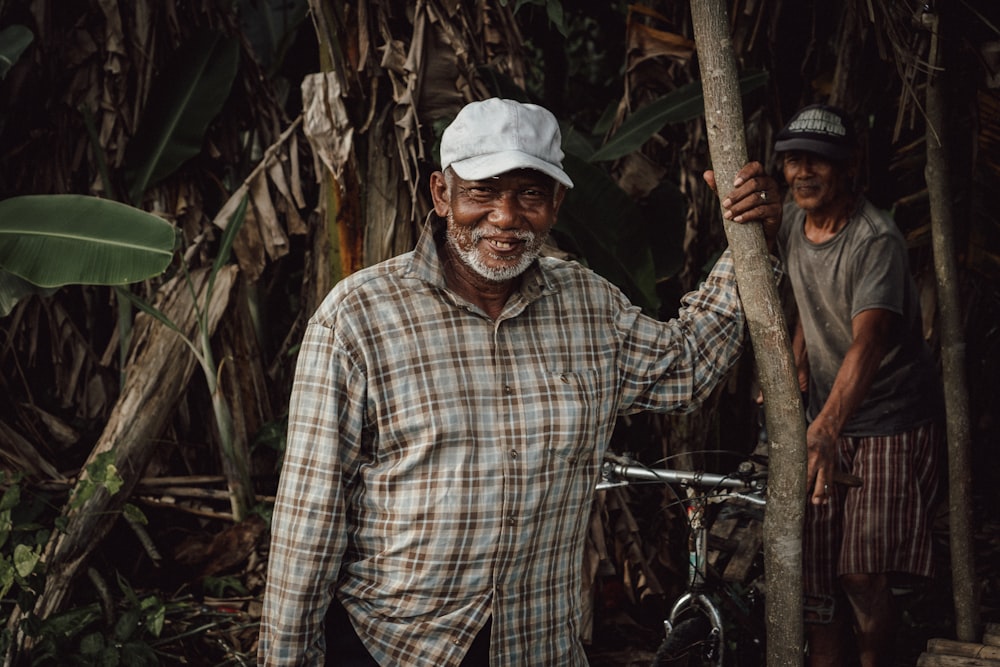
[883, 526]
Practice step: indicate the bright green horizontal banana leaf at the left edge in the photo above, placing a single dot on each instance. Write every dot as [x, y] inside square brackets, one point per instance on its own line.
[55, 240]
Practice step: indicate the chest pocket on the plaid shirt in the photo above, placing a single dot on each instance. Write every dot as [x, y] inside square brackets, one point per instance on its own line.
[562, 407]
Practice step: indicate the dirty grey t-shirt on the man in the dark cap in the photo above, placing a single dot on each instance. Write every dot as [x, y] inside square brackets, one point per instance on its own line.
[864, 266]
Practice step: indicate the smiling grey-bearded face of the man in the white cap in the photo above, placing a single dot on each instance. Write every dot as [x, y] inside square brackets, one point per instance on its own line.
[496, 227]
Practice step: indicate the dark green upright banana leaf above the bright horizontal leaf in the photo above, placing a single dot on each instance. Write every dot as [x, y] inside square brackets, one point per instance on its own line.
[186, 96]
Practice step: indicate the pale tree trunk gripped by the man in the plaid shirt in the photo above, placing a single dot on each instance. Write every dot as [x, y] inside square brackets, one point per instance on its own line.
[771, 344]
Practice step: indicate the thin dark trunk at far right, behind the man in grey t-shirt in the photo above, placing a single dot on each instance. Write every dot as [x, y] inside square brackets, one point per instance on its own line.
[956, 396]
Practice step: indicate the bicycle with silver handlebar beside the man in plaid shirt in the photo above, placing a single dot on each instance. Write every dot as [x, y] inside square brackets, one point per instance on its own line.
[717, 614]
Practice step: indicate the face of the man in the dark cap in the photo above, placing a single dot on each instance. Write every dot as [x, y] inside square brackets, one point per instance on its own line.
[818, 185]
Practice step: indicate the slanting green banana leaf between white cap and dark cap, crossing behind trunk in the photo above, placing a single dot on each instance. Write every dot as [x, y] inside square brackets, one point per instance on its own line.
[685, 103]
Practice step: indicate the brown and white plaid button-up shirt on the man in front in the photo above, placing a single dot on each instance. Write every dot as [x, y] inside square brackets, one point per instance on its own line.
[440, 465]
